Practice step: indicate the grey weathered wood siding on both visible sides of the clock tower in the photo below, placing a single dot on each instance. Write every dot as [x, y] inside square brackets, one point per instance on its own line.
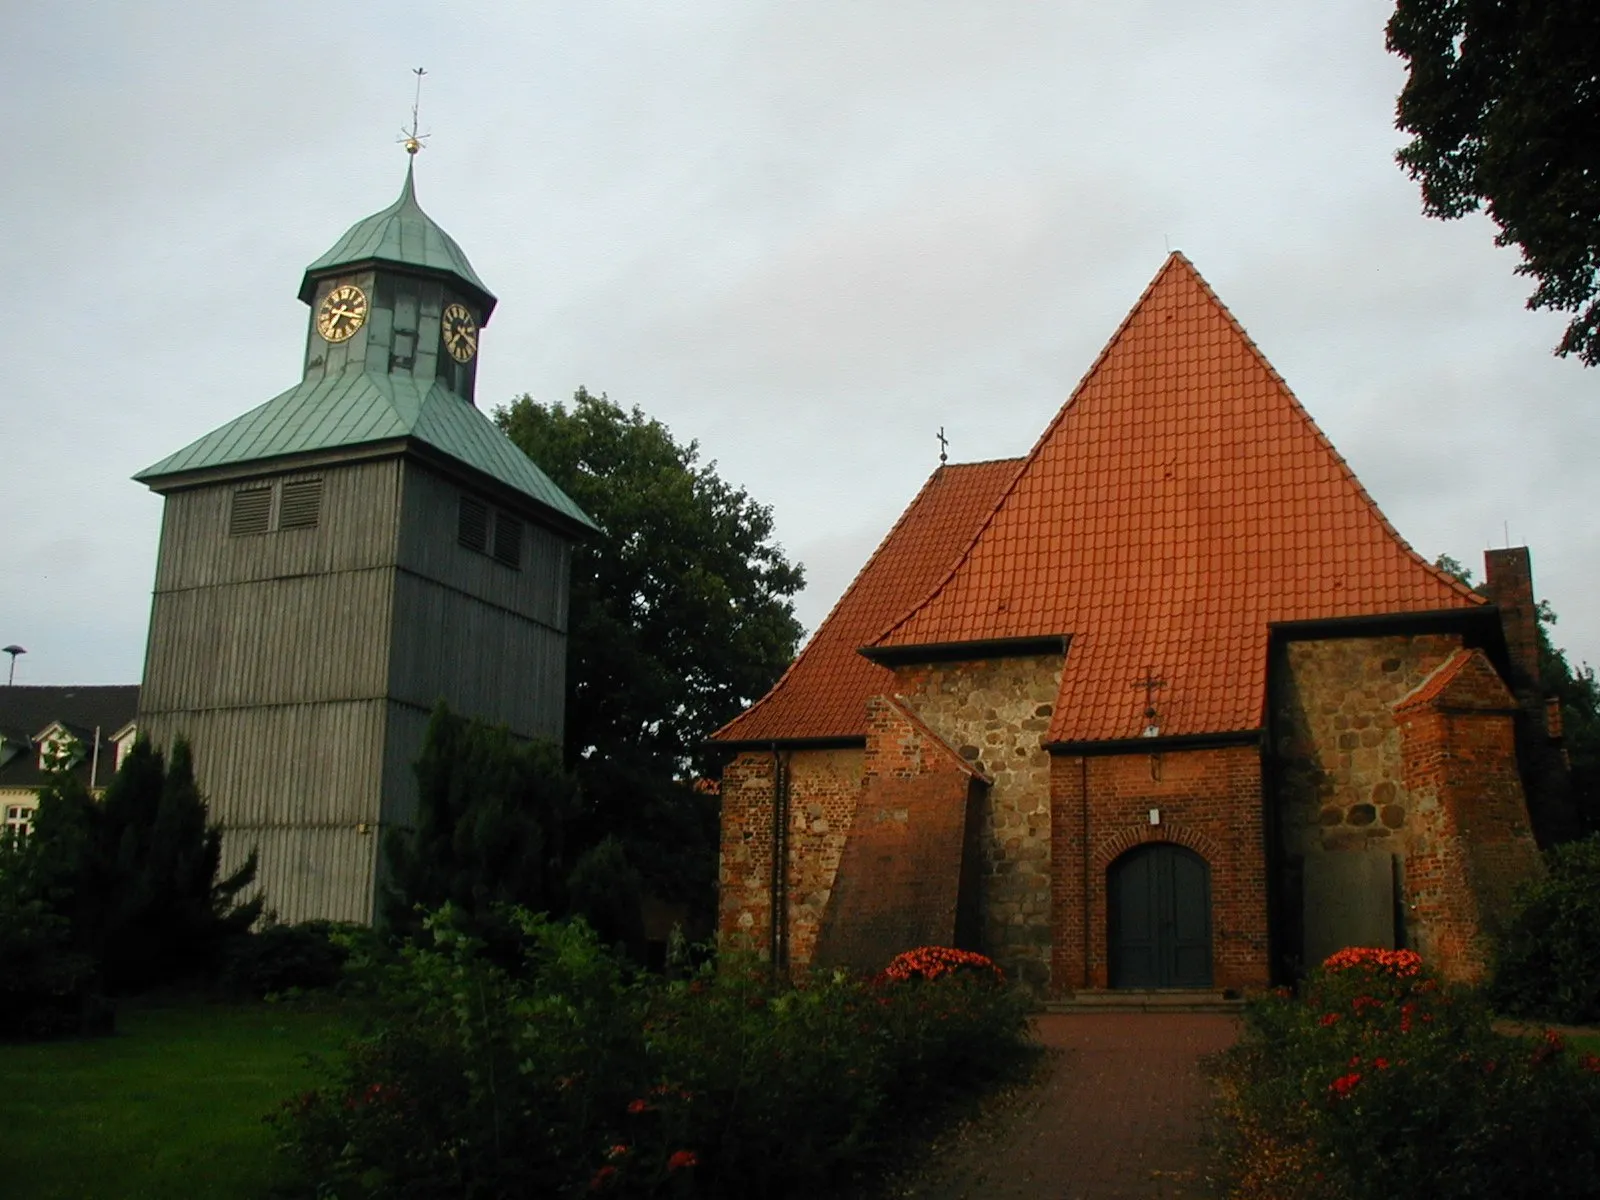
[303, 665]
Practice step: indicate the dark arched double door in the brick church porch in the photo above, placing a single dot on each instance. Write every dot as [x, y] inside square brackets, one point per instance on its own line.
[1161, 918]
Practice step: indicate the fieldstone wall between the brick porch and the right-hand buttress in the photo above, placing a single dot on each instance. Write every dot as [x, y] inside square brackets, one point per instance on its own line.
[1343, 804]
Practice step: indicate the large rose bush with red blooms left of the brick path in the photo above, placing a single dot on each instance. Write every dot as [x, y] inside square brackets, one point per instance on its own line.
[569, 1074]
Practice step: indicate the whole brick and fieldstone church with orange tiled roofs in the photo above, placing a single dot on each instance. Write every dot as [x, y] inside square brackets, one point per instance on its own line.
[1164, 705]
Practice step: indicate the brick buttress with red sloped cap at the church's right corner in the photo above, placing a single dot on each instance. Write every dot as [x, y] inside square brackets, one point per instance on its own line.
[1471, 841]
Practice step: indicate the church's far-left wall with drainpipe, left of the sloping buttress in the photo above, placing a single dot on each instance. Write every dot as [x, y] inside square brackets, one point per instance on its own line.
[822, 802]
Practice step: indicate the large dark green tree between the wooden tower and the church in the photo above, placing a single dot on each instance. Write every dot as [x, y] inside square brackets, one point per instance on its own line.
[682, 614]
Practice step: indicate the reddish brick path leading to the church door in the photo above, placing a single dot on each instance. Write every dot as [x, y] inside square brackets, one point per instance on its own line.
[1119, 1116]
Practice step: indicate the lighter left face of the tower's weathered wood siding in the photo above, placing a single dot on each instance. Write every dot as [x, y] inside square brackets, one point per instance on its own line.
[271, 655]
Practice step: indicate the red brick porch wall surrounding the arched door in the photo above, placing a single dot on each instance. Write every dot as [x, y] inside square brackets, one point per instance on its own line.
[1209, 801]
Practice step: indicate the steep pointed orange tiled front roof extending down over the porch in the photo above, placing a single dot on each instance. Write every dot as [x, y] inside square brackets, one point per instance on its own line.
[1177, 506]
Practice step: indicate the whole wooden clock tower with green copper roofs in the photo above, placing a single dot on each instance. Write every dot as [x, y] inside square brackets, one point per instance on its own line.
[343, 558]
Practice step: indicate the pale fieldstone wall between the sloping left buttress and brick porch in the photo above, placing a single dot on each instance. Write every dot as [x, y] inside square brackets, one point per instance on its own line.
[996, 714]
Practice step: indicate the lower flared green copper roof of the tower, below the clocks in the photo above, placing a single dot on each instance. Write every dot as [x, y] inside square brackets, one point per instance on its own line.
[354, 409]
